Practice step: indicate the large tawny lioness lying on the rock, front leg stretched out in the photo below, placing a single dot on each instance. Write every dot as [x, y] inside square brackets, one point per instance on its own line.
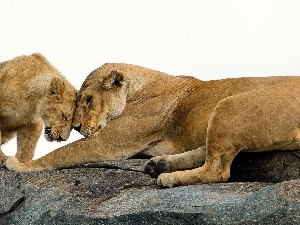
[141, 111]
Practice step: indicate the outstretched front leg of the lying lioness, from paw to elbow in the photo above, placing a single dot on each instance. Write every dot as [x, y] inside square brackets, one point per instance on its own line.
[86, 150]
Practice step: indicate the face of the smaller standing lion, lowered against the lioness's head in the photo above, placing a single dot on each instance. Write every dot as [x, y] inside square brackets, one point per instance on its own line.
[57, 110]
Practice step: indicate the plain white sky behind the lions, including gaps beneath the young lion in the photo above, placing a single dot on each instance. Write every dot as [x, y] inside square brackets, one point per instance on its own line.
[209, 39]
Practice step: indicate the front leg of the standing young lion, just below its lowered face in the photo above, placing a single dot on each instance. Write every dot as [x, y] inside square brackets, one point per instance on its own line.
[27, 138]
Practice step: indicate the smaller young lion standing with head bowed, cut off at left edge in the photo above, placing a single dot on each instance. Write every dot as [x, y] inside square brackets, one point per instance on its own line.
[34, 93]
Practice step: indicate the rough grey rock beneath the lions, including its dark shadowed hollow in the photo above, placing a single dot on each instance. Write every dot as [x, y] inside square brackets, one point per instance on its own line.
[120, 193]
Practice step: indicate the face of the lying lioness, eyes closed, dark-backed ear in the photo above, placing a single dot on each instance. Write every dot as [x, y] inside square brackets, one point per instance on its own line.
[100, 102]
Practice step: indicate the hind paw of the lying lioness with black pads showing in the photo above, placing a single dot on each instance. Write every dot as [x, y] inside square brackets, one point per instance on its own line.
[155, 166]
